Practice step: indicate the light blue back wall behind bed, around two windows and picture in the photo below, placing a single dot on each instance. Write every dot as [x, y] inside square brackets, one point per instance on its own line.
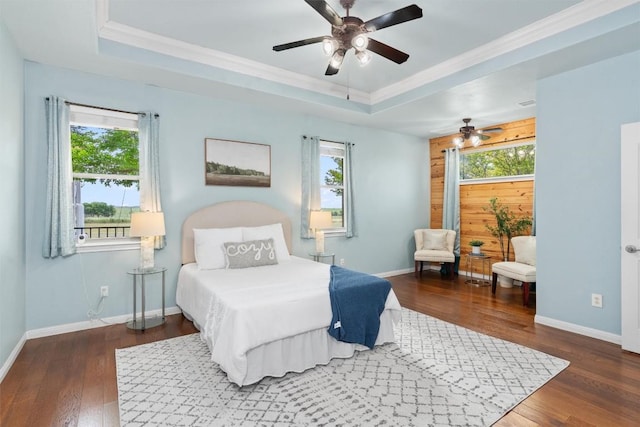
[391, 173]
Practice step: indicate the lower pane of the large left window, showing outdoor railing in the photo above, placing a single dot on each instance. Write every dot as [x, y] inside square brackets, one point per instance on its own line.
[104, 211]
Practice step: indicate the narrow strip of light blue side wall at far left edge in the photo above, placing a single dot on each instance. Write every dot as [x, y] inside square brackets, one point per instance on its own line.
[12, 248]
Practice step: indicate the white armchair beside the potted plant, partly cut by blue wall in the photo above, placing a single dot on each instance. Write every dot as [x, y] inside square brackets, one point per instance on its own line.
[524, 267]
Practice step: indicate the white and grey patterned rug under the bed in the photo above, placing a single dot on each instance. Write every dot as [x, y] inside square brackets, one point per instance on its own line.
[437, 374]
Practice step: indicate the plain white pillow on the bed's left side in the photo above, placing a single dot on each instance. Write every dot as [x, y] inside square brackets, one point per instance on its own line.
[208, 246]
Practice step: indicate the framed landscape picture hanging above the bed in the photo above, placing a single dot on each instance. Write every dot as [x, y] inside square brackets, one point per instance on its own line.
[237, 163]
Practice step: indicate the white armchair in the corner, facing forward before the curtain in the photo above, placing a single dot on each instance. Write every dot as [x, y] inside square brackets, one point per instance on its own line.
[434, 245]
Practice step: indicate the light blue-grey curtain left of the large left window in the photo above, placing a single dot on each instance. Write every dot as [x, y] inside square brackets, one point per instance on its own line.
[59, 238]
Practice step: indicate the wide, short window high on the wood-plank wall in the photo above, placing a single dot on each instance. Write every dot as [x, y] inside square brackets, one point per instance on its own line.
[512, 162]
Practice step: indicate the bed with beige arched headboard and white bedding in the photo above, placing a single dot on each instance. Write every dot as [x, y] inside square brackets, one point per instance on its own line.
[266, 320]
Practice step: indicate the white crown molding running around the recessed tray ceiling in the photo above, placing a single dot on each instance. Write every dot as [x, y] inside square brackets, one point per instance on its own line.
[564, 20]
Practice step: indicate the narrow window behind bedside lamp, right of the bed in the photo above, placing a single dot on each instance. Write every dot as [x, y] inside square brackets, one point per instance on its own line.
[332, 194]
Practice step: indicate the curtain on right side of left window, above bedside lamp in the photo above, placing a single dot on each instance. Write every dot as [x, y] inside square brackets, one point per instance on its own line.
[149, 146]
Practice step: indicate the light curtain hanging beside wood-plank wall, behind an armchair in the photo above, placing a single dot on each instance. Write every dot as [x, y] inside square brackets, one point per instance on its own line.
[451, 201]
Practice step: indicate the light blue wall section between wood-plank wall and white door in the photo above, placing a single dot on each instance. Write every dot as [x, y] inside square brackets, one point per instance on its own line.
[578, 189]
